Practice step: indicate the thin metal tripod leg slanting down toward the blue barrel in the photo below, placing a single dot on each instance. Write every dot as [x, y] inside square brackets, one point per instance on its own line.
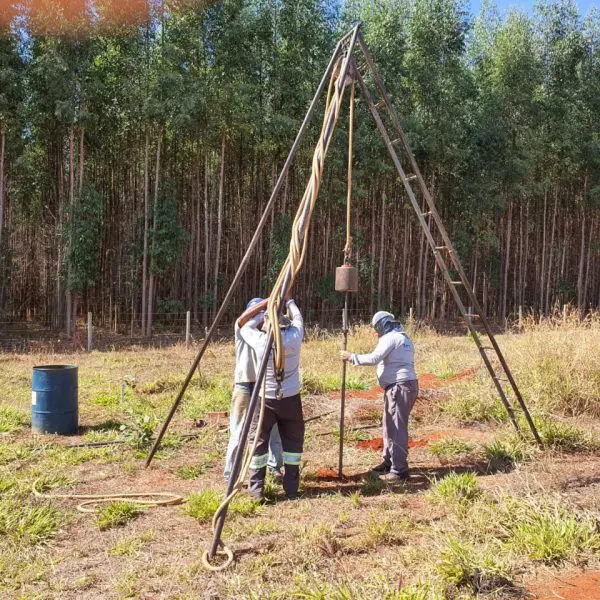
[249, 251]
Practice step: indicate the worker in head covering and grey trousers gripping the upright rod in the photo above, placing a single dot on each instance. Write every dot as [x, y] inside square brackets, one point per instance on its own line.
[394, 356]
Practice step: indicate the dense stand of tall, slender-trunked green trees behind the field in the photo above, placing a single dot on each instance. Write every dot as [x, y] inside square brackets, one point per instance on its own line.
[140, 140]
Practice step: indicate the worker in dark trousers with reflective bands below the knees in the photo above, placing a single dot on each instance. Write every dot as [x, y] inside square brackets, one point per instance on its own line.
[283, 406]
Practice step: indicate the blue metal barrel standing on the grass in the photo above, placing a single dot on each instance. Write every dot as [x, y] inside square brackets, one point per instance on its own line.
[54, 406]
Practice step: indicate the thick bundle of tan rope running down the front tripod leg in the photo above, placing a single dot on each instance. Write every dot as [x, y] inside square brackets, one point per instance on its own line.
[285, 281]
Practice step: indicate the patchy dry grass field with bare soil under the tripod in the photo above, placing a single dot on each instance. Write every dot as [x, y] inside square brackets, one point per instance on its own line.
[438, 536]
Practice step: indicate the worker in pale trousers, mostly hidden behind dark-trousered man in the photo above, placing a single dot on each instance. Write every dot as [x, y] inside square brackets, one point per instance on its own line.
[245, 377]
